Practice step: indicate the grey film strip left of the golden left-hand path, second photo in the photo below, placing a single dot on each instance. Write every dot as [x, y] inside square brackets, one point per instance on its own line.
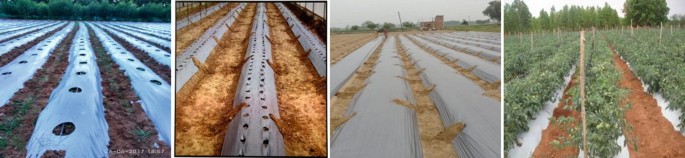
[202, 47]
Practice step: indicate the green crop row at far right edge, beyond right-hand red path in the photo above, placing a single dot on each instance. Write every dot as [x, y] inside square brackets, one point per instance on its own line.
[660, 66]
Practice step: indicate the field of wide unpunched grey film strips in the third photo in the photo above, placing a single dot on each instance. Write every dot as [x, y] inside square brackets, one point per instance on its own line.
[438, 92]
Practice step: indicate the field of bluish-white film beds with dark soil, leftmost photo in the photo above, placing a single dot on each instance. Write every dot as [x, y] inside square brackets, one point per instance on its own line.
[84, 89]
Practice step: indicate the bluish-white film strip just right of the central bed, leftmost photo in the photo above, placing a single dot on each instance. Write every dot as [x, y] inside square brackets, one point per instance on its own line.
[153, 91]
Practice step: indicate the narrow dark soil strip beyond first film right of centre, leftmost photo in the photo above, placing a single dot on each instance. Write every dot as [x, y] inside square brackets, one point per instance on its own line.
[161, 70]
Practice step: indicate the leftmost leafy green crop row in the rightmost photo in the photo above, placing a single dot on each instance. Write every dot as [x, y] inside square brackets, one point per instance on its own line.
[524, 96]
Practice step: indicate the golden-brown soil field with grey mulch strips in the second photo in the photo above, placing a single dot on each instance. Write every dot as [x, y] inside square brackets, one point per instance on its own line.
[250, 81]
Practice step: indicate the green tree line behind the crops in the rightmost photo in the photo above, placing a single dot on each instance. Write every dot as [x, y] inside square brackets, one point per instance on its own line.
[518, 18]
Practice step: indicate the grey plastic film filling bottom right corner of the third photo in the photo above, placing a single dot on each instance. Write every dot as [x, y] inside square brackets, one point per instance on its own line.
[458, 99]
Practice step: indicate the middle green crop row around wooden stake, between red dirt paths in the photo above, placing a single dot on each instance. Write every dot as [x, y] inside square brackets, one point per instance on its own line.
[604, 114]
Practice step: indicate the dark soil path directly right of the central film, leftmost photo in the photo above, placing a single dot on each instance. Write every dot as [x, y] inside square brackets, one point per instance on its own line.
[123, 113]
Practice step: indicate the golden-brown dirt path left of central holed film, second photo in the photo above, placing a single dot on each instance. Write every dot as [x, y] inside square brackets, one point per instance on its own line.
[202, 117]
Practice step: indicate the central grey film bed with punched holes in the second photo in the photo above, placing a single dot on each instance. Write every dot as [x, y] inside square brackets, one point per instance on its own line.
[252, 132]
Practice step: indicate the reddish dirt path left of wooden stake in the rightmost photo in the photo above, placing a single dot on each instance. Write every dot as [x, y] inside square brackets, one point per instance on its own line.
[553, 132]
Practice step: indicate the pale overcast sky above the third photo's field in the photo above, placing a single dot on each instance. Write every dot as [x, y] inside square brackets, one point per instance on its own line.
[355, 12]
